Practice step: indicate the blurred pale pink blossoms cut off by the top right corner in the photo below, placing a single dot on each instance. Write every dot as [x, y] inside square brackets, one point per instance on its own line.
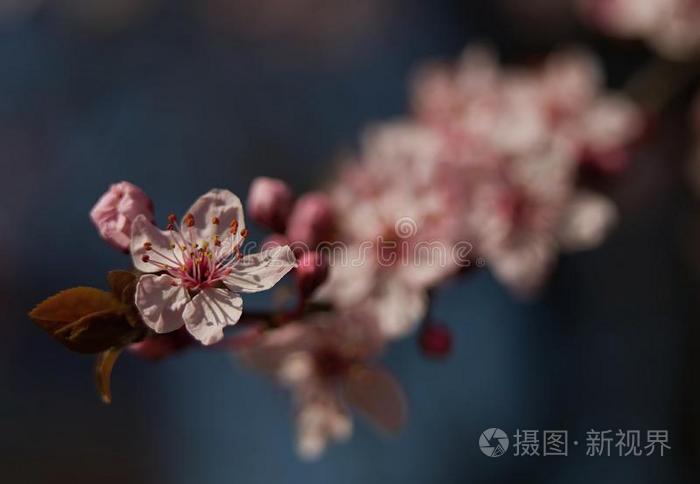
[670, 26]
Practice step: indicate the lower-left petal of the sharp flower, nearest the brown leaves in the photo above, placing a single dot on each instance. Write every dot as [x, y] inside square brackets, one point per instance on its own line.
[160, 302]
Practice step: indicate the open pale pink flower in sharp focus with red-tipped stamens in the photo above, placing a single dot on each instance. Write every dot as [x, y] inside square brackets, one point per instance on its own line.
[195, 269]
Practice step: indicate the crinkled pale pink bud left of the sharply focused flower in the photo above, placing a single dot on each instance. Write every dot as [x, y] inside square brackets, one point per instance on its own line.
[116, 209]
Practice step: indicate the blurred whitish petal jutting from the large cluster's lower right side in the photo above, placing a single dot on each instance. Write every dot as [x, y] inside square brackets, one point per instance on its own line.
[586, 222]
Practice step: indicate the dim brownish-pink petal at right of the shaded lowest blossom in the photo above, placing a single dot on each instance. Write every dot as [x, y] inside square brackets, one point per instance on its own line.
[377, 396]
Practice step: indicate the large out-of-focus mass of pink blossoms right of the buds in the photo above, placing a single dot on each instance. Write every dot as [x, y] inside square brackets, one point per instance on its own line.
[491, 158]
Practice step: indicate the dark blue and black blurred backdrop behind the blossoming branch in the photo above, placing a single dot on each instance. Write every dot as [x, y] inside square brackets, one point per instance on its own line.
[180, 96]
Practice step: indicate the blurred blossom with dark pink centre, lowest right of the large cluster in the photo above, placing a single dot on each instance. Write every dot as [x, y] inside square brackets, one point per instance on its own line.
[521, 222]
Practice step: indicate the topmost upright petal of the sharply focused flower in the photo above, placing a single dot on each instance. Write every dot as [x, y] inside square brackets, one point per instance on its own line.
[216, 203]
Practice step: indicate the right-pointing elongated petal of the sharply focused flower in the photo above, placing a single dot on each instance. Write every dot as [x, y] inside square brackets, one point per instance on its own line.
[259, 272]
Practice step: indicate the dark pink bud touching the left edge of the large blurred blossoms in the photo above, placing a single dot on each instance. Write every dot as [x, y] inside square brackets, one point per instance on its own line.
[311, 220]
